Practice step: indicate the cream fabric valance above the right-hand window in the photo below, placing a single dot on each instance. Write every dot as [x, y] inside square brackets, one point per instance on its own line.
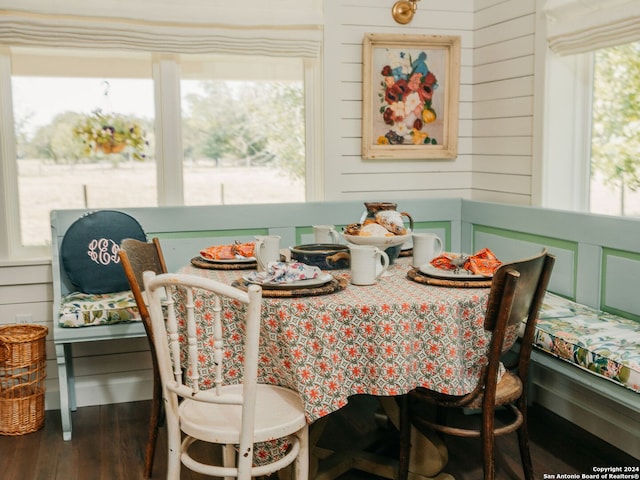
[579, 26]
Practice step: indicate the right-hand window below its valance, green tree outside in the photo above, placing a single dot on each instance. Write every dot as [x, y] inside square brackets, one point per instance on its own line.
[591, 132]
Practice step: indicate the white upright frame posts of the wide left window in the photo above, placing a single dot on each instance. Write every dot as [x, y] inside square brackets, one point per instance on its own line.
[169, 155]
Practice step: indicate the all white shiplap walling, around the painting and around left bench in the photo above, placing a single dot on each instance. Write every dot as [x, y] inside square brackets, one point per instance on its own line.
[494, 161]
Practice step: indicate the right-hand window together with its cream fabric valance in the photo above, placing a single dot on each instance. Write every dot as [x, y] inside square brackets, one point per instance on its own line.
[588, 103]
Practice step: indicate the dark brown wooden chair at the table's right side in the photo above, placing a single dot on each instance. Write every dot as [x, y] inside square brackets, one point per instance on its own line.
[517, 292]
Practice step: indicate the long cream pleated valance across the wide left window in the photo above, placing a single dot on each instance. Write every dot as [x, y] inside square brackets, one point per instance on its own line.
[21, 28]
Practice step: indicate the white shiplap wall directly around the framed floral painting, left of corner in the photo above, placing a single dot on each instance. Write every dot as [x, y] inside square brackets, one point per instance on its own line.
[348, 175]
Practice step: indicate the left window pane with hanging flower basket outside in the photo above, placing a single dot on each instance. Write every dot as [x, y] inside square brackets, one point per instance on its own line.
[56, 168]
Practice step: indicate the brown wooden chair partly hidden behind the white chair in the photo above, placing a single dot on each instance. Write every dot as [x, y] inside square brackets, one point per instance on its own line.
[136, 258]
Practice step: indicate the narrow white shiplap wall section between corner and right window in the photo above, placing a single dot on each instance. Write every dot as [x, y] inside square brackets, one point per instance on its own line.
[503, 106]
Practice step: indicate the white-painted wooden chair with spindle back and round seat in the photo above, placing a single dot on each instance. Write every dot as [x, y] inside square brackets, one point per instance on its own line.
[235, 416]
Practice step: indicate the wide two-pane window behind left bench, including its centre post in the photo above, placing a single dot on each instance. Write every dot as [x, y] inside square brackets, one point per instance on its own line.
[239, 136]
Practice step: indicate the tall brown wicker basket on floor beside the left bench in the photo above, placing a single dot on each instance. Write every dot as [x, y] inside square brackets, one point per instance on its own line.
[22, 374]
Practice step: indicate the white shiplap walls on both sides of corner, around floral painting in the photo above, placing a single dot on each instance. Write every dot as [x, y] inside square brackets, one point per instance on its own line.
[496, 102]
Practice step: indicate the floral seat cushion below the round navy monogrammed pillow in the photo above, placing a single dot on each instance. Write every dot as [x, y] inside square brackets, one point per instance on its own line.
[85, 309]
